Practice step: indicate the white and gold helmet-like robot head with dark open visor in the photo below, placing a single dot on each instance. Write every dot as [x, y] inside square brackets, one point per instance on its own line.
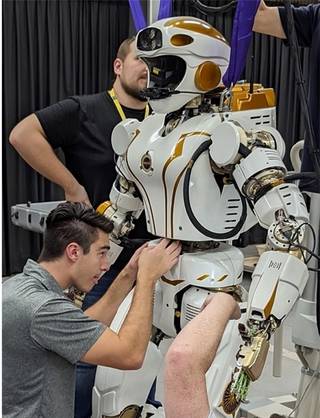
[185, 57]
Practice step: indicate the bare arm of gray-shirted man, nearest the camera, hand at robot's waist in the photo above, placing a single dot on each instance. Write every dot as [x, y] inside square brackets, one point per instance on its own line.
[126, 350]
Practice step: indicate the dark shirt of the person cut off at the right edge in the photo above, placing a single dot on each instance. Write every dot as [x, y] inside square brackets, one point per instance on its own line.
[307, 25]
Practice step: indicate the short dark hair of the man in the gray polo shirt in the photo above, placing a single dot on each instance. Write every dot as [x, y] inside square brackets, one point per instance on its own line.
[71, 222]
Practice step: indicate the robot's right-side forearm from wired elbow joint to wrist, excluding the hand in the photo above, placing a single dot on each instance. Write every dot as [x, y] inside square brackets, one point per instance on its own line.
[280, 274]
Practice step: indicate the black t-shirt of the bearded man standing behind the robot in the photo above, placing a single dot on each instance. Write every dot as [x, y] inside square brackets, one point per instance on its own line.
[81, 126]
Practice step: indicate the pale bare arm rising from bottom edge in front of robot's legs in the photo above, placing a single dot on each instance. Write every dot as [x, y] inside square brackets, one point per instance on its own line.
[190, 356]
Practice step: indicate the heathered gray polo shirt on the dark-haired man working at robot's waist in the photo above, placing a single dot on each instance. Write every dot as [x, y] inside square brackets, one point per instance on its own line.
[44, 335]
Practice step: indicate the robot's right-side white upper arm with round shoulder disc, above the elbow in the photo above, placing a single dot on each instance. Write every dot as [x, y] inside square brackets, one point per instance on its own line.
[258, 170]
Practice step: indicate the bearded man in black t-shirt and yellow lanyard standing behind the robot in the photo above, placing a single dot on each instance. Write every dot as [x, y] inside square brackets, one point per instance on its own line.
[81, 126]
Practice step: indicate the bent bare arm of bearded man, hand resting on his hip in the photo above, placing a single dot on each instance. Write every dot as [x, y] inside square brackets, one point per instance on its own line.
[29, 140]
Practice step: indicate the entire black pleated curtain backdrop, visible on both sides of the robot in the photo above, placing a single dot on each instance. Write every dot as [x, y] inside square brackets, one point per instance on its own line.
[53, 49]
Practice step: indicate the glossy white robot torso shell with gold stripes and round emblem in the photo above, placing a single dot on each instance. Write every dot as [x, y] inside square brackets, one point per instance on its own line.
[158, 166]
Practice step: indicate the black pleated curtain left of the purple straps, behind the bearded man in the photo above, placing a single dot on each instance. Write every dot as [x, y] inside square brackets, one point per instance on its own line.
[51, 50]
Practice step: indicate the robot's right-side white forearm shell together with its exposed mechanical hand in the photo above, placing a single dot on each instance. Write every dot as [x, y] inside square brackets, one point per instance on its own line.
[277, 281]
